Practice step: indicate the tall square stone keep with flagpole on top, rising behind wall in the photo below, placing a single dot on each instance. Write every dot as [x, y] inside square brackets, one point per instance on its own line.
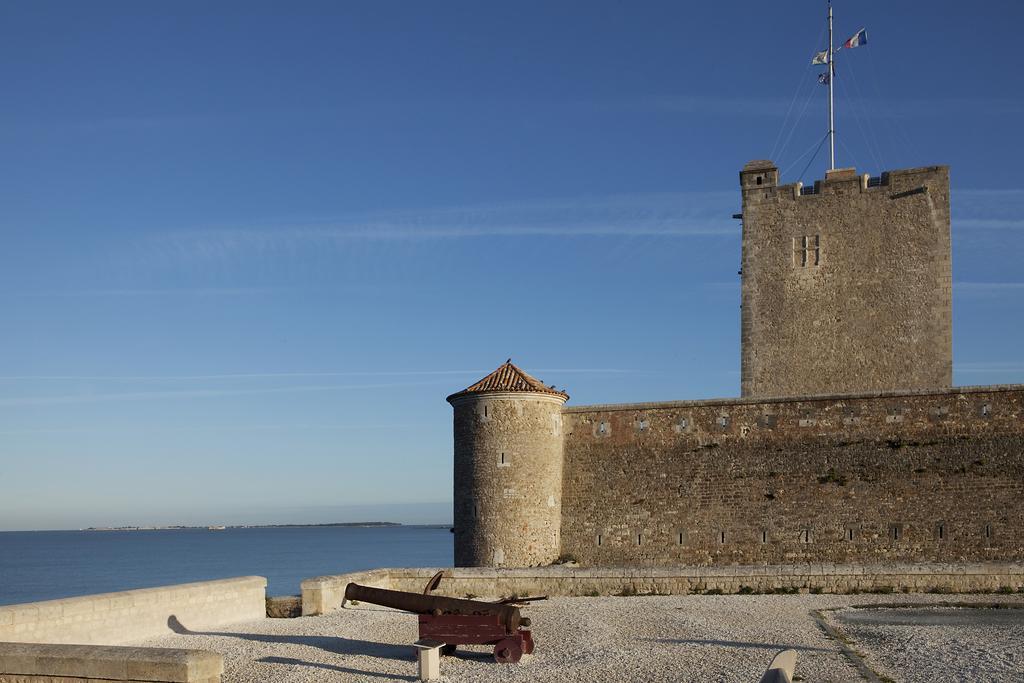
[846, 285]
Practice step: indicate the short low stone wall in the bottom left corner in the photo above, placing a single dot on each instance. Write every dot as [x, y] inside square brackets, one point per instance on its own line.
[32, 663]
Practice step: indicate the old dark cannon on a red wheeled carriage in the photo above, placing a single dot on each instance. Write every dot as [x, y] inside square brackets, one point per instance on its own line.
[457, 622]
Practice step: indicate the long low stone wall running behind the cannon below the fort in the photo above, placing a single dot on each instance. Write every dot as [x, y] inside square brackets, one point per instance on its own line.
[324, 594]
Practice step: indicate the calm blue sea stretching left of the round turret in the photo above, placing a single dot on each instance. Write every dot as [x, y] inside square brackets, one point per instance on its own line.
[47, 566]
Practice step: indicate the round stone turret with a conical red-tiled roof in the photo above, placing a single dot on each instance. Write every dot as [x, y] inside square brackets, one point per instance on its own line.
[508, 472]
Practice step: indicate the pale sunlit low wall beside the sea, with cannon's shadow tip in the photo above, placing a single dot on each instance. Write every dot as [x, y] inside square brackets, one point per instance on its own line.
[116, 619]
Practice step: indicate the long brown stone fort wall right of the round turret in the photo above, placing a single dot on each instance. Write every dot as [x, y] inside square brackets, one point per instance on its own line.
[873, 479]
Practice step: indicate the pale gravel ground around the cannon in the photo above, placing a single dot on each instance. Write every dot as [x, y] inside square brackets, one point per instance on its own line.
[657, 638]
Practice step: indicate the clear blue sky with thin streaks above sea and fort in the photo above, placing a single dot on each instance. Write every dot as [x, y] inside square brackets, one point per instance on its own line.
[250, 247]
